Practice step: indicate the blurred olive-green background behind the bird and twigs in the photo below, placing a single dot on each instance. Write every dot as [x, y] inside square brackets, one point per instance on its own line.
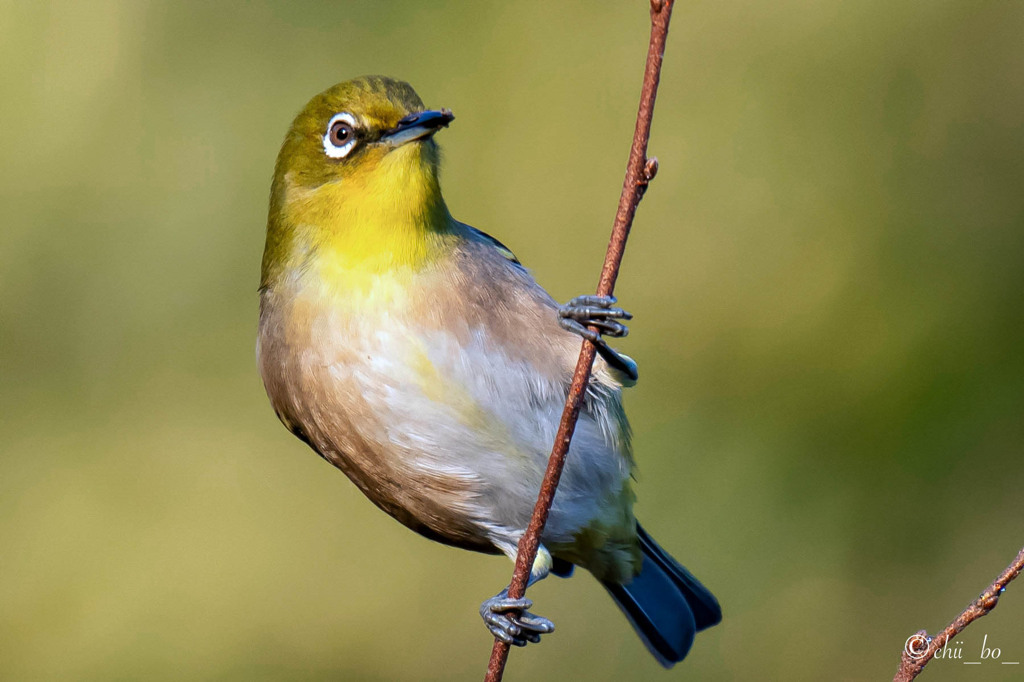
[827, 278]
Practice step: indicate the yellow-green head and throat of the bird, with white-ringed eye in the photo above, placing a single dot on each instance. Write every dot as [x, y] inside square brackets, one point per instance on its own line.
[357, 183]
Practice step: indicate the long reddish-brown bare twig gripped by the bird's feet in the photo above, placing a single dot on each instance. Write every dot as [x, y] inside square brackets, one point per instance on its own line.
[639, 173]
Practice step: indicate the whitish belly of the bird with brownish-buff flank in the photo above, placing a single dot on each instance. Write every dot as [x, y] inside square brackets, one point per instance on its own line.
[444, 413]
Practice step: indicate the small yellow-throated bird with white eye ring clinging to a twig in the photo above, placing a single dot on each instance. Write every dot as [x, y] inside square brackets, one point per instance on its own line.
[418, 356]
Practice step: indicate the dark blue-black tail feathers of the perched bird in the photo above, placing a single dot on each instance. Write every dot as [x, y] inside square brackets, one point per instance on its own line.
[666, 605]
